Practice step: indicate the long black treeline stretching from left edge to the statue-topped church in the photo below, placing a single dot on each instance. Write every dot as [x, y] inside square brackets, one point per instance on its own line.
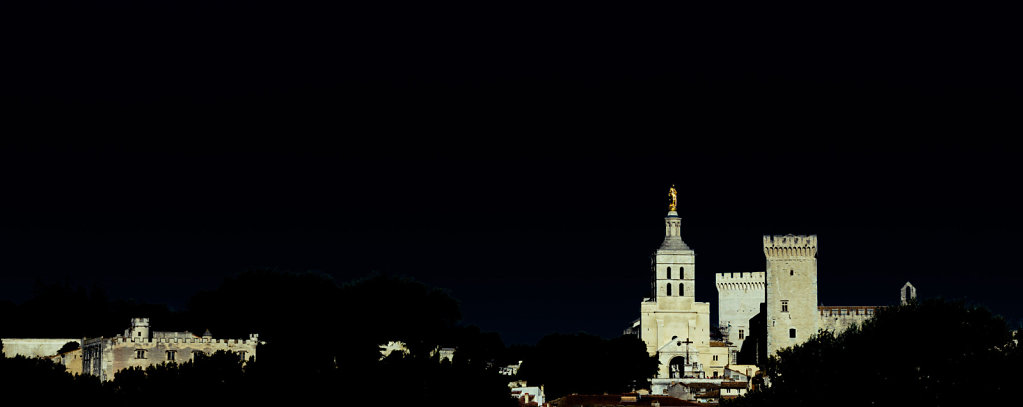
[323, 341]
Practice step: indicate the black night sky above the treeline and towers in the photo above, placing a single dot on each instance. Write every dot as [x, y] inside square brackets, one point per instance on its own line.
[517, 156]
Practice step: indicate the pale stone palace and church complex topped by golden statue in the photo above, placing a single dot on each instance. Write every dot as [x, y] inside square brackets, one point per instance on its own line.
[760, 313]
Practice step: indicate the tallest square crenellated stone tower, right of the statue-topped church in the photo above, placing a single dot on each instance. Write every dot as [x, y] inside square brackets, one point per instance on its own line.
[792, 290]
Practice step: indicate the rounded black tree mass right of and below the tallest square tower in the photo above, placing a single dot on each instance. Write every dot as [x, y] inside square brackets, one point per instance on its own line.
[932, 353]
